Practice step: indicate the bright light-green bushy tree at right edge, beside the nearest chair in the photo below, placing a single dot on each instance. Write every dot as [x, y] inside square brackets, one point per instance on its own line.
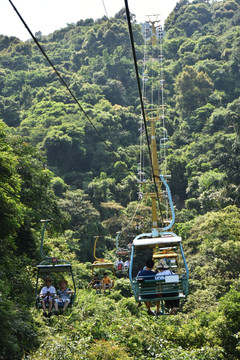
[213, 245]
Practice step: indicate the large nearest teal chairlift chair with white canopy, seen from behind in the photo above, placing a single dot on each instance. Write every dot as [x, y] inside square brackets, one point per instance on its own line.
[170, 287]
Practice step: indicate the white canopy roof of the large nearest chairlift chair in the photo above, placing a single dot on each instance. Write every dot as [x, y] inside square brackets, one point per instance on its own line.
[153, 242]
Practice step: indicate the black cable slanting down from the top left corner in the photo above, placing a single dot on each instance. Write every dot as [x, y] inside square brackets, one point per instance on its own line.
[59, 75]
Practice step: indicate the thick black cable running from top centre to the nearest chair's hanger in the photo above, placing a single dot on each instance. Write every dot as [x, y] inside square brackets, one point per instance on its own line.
[141, 102]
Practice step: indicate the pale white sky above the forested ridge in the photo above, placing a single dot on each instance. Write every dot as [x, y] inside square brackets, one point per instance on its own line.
[50, 15]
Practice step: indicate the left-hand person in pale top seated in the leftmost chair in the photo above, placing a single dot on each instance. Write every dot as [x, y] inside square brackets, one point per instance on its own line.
[47, 295]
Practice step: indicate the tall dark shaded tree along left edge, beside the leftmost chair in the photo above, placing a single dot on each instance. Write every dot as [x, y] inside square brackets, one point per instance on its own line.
[25, 198]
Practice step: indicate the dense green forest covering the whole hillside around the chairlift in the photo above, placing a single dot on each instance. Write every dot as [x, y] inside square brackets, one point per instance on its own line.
[54, 165]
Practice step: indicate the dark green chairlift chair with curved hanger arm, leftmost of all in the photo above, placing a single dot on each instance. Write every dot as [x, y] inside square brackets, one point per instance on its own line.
[51, 266]
